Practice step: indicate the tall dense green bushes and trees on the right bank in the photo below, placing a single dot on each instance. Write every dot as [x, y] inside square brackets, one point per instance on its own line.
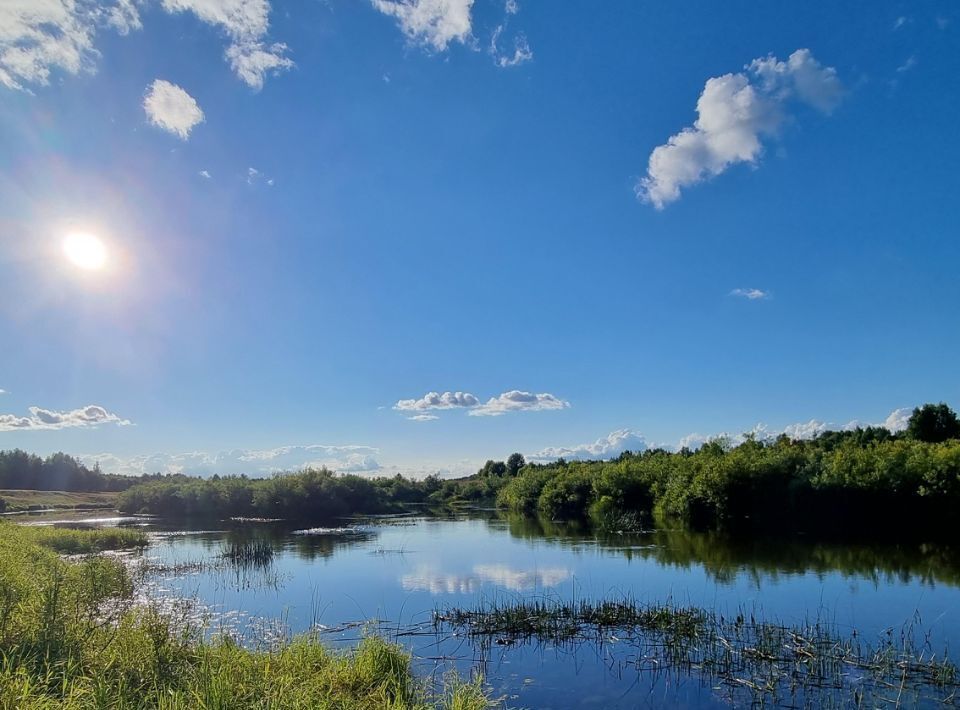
[865, 479]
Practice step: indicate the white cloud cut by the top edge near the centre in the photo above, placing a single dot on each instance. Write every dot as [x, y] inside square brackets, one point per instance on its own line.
[433, 23]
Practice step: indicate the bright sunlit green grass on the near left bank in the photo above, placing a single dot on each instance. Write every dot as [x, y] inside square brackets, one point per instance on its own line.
[72, 637]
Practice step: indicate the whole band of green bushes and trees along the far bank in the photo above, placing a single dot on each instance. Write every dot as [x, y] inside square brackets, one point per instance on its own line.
[867, 478]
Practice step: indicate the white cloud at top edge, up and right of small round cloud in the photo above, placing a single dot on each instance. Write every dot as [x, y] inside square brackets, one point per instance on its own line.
[246, 23]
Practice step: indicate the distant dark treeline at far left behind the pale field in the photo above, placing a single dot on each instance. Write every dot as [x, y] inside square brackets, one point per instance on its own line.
[58, 472]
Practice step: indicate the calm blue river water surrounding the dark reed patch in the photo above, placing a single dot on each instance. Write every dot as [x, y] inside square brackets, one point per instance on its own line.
[400, 570]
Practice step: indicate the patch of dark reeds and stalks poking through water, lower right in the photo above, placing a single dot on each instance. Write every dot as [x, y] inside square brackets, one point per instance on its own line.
[749, 660]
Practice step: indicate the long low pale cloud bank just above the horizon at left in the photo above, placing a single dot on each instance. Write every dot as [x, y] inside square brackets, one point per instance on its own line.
[252, 462]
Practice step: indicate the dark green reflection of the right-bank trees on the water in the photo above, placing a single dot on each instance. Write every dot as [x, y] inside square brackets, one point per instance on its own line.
[725, 557]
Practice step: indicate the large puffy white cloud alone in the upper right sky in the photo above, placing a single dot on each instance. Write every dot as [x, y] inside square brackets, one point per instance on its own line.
[735, 113]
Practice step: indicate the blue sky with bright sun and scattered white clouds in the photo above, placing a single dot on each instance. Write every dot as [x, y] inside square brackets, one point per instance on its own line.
[407, 236]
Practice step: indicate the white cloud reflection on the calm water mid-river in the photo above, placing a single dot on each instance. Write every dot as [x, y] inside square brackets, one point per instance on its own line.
[430, 580]
